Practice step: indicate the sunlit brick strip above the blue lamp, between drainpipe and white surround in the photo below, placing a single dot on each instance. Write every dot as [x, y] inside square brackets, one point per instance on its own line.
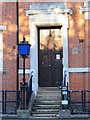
[24, 21]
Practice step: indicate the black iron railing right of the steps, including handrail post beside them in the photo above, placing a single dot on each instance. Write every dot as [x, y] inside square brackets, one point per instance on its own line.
[78, 101]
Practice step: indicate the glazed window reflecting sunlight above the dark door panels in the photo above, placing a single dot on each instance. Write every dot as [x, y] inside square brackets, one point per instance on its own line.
[51, 39]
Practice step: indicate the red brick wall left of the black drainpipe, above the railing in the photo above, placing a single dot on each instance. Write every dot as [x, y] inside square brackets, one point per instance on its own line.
[9, 42]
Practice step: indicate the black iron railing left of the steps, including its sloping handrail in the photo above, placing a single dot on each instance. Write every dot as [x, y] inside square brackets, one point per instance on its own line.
[11, 100]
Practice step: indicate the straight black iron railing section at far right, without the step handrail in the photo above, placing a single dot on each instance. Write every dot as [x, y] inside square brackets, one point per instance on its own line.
[79, 101]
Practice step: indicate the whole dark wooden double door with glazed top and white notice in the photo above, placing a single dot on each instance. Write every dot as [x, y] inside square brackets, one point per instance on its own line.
[50, 57]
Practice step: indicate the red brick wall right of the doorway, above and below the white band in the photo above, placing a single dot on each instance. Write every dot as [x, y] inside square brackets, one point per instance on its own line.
[78, 32]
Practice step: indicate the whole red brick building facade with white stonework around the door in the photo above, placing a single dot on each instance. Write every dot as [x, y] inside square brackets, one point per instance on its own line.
[75, 50]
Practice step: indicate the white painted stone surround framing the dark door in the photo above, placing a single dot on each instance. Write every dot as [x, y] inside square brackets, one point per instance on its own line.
[44, 18]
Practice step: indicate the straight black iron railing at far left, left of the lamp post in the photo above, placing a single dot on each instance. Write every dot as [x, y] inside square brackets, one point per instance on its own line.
[9, 102]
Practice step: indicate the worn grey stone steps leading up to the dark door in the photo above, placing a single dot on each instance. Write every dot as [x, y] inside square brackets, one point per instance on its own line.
[47, 103]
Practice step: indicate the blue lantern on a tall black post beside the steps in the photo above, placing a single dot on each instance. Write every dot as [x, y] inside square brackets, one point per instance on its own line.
[24, 50]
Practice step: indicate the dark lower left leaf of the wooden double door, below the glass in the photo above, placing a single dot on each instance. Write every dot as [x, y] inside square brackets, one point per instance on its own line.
[44, 70]
